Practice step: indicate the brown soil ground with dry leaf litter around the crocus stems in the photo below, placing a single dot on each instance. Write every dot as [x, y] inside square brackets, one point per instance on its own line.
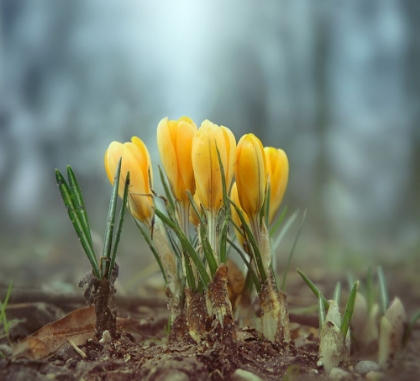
[142, 351]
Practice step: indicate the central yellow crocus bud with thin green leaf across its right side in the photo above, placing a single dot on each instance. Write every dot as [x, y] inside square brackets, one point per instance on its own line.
[205, 162]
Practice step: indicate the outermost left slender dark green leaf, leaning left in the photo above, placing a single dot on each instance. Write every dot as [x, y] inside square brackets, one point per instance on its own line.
[78, 225]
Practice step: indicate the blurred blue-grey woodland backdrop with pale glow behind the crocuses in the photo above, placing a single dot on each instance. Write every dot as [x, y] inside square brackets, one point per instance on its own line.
[337, 86]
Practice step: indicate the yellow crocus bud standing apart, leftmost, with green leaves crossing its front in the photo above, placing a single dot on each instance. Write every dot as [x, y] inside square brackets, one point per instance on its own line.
[136, 160]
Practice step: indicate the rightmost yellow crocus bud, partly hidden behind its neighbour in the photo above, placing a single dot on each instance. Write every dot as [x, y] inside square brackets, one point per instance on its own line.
[278, 175]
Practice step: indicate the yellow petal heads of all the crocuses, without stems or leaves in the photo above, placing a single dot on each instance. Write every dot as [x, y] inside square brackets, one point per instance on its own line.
[190, 159]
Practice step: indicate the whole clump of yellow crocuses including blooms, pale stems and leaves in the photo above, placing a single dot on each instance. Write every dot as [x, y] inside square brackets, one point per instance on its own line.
[213, 183]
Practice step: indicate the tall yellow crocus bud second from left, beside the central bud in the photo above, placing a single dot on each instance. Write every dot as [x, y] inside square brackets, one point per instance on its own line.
[174, 138]
